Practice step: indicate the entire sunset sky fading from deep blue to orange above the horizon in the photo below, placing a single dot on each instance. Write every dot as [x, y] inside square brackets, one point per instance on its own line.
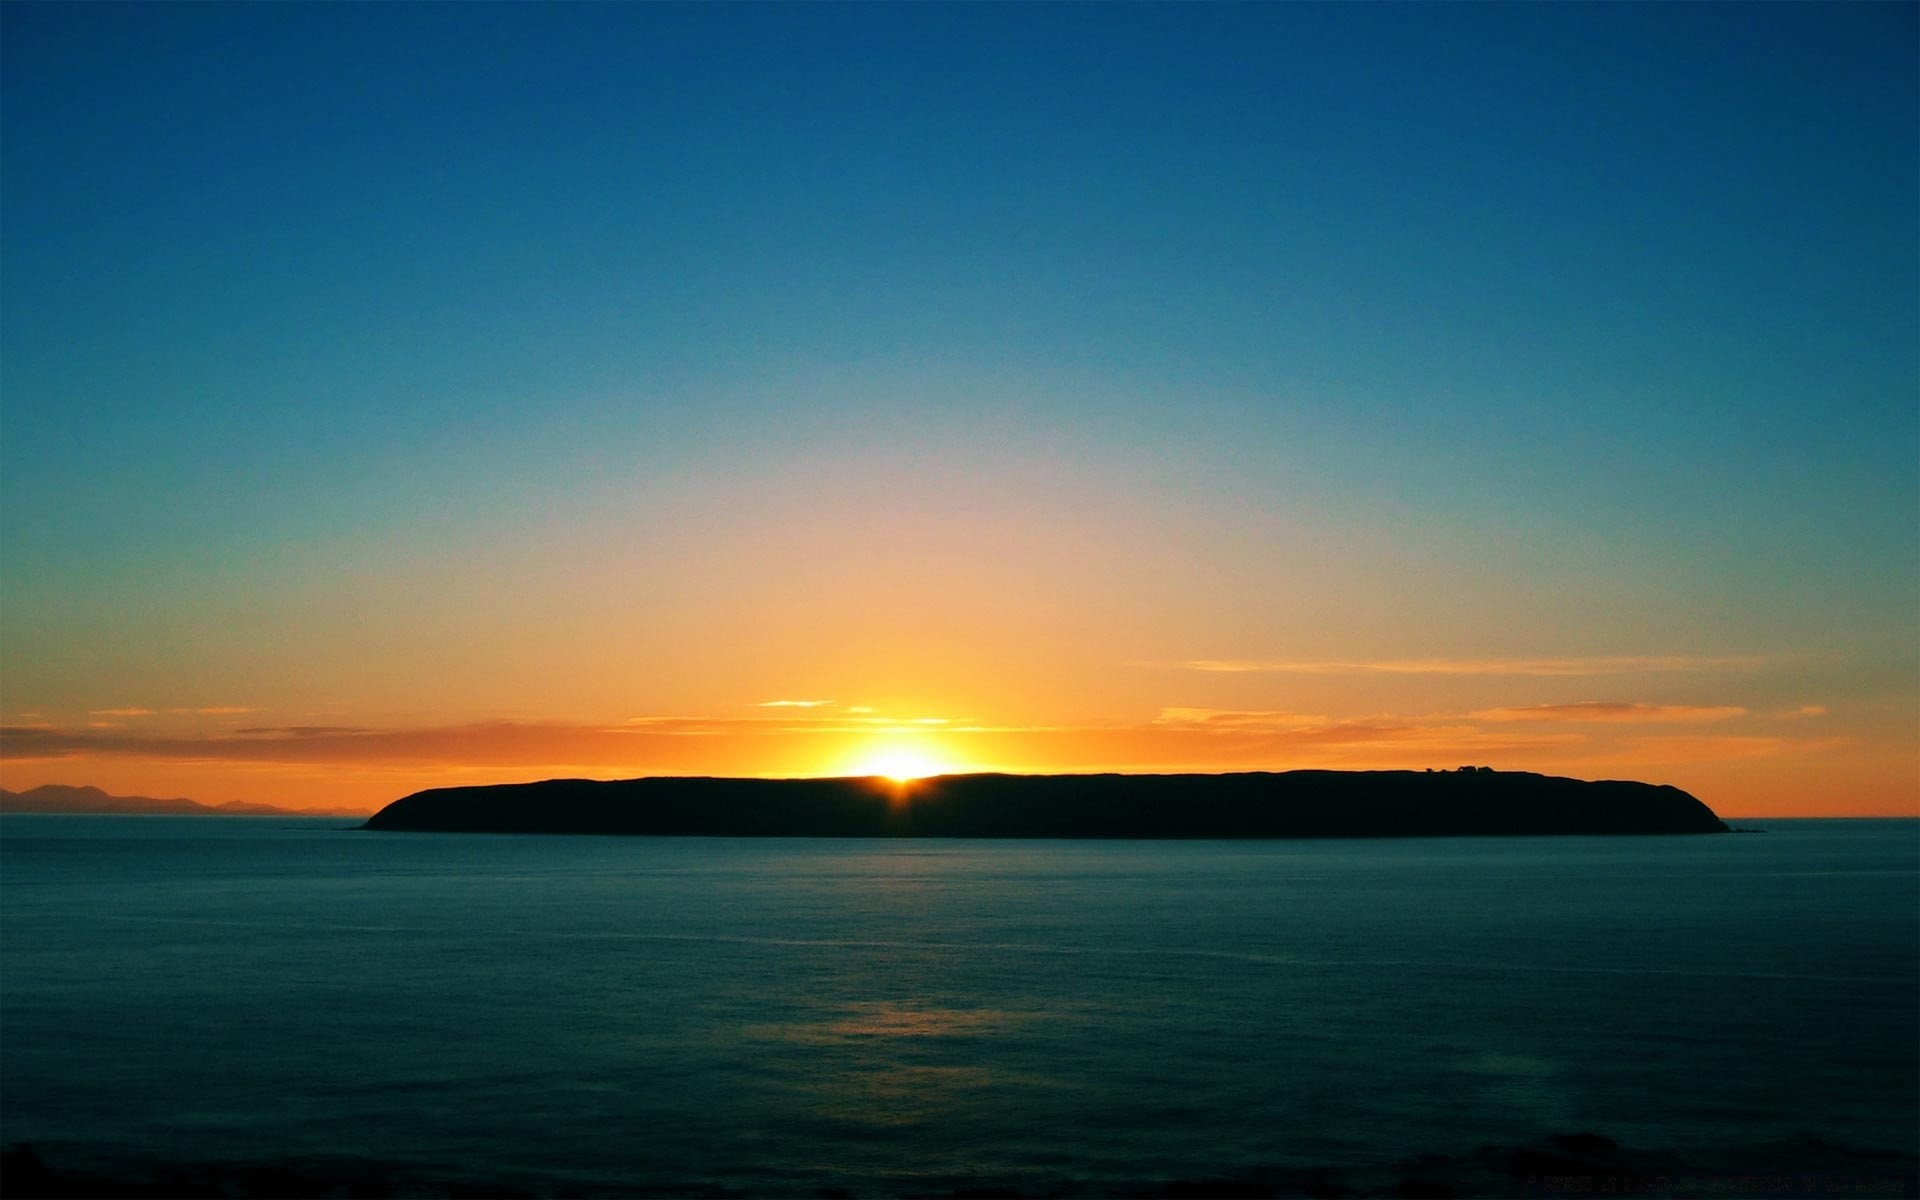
[400, 396]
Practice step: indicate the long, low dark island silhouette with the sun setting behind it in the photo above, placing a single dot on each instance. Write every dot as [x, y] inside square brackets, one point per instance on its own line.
[1301, 804]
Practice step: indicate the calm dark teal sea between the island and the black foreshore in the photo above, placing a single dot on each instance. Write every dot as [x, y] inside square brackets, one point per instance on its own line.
[878, 1017]
